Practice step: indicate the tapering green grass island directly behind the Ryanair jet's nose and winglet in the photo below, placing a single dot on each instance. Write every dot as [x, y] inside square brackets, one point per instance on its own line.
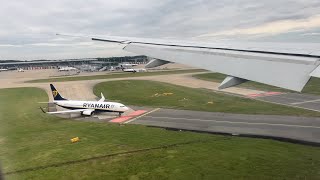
[142, 93]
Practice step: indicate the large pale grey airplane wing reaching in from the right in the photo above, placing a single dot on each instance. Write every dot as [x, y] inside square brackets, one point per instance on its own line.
[286, 65]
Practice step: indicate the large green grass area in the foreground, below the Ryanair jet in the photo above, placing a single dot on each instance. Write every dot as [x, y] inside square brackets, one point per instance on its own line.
[31, 139]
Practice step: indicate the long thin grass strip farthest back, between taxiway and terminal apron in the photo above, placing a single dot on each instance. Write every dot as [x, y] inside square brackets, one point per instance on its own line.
[114, 75]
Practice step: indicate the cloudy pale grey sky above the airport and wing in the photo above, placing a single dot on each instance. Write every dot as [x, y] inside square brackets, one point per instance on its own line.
[28, 28]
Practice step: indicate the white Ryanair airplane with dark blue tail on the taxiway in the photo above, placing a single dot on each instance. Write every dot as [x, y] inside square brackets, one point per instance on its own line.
[85, 107]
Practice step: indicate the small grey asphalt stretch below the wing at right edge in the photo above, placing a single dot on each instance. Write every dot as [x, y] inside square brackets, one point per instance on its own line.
[306, 101]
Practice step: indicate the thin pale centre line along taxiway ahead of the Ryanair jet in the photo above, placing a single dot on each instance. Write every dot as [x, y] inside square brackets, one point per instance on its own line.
[233, 122]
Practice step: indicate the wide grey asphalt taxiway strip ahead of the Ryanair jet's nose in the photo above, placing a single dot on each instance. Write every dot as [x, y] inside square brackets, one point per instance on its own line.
[289, 128]
